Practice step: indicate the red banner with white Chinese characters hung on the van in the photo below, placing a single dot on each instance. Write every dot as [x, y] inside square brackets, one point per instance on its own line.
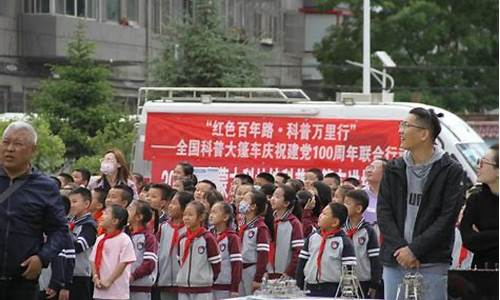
[254, 144]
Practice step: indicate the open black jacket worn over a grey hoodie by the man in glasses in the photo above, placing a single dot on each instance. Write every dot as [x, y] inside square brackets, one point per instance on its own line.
[443, 196]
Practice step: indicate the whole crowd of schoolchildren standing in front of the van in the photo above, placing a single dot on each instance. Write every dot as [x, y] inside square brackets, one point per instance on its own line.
[191, 243]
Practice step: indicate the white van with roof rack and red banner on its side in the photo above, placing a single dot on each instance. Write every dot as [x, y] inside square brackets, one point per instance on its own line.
[174, 121]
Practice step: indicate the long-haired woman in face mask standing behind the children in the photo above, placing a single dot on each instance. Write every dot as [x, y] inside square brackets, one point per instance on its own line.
[114, 171]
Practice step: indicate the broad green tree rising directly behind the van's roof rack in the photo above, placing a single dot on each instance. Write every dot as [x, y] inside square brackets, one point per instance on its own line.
[199, 53]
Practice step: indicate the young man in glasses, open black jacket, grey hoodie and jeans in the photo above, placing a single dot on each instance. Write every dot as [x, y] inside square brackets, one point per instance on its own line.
[418, 204]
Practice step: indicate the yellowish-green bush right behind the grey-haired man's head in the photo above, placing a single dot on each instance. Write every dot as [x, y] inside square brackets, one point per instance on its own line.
[49, 156]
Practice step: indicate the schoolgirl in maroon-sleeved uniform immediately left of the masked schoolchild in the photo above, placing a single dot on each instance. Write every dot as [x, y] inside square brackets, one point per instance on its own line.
[229, 244]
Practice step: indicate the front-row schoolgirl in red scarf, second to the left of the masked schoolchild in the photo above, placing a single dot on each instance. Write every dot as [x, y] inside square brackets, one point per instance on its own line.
[198, 255]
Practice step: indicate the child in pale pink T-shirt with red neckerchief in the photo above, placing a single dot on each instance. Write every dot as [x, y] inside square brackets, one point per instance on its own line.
[112, 256]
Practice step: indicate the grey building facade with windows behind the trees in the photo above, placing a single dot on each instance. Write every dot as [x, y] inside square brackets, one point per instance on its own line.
[128, 34]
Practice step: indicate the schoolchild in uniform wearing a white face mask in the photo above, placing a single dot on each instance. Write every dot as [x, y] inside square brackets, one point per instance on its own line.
[255, 240]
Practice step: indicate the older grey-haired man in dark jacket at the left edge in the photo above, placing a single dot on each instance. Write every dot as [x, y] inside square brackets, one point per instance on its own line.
[31, 210]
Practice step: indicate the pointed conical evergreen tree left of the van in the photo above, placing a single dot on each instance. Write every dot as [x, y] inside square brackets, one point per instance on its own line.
[77, 100]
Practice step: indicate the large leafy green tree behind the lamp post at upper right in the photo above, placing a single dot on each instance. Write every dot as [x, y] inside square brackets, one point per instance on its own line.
[446, 51]
